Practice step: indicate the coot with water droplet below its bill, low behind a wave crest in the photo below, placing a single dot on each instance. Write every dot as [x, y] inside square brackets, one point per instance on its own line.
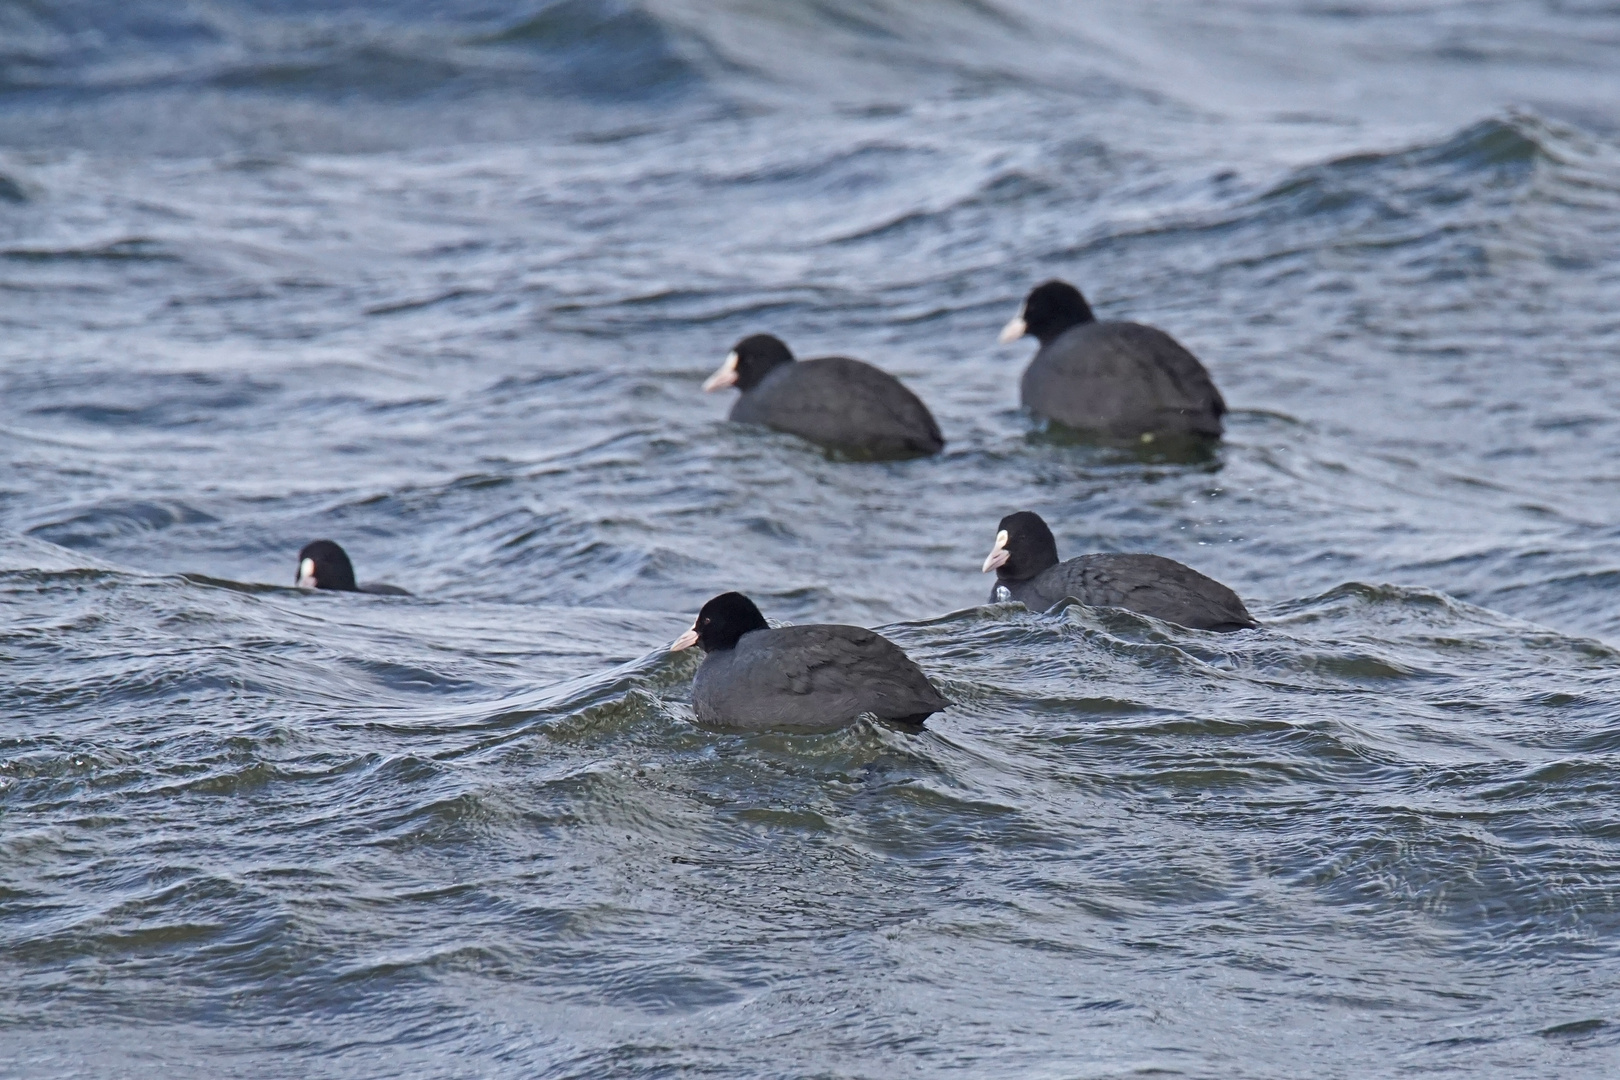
[1028, 571]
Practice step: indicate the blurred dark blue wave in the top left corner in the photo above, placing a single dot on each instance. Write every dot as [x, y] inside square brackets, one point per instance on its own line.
[594, 49]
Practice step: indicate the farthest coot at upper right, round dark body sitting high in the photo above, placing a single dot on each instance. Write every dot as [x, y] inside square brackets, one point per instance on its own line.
[1115, 380]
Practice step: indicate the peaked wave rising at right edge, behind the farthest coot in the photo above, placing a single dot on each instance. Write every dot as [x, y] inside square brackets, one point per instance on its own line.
[1457, 208]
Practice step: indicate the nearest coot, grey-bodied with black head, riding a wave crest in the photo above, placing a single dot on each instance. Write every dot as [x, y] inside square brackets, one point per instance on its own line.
[804, 679]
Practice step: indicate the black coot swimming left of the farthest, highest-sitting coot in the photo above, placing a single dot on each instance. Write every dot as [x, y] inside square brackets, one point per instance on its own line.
[835, 402]
